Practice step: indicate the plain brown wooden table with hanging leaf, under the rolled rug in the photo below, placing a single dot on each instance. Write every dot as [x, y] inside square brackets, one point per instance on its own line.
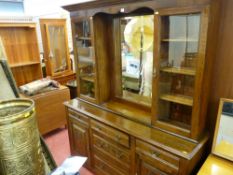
[50, 111]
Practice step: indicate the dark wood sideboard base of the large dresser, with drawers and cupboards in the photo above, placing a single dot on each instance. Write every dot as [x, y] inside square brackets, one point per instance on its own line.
[116, 145]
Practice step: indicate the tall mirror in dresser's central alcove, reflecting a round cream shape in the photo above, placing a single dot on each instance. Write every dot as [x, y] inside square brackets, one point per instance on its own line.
[137, 58]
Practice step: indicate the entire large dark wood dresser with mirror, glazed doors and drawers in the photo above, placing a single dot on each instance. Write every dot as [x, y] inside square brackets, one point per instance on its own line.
[153, 124]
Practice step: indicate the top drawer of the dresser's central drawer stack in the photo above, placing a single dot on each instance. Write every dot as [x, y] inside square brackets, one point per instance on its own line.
[111, 133]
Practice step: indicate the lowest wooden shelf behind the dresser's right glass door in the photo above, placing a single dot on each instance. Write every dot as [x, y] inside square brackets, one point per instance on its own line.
[181, 99]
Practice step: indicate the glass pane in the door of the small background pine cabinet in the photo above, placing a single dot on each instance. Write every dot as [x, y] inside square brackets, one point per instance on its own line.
[57, 52]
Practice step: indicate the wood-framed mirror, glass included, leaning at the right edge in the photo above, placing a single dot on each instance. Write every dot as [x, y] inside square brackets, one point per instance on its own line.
[223, 136]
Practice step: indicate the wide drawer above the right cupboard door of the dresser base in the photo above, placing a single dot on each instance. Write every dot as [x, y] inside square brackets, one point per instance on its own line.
[158, 158]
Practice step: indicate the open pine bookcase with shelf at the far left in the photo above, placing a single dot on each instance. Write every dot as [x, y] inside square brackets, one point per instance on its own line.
[20, 43]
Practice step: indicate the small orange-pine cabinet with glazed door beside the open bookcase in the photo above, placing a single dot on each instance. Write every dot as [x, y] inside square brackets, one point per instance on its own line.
[56, 50]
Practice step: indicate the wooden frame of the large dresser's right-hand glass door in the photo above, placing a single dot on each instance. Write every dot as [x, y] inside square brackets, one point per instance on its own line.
[197, 116]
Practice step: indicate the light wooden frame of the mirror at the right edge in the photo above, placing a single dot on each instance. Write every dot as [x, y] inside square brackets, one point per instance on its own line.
[222, 100]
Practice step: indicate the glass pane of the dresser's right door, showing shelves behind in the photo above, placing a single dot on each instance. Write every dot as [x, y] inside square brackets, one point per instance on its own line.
[178, 64]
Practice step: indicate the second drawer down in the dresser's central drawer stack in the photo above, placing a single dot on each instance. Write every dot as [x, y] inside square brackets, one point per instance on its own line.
[119, 153]
